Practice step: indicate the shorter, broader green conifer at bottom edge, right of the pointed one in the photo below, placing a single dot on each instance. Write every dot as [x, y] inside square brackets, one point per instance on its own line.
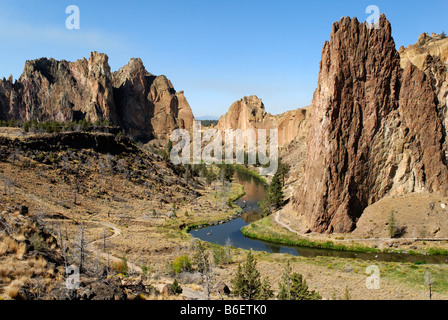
[294, 287]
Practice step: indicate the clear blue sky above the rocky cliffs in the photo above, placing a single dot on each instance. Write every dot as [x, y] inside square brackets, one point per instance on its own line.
[216, 51]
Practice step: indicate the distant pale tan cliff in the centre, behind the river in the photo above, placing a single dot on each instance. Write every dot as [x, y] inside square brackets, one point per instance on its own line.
[250, 113]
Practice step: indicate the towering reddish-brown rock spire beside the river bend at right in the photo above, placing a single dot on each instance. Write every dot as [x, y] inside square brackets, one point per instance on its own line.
[375, 128]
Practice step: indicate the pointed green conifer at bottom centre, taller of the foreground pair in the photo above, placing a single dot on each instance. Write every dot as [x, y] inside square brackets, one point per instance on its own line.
[247, 283]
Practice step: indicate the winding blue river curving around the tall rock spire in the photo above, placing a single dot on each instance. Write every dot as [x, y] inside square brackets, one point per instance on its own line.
[255, 192]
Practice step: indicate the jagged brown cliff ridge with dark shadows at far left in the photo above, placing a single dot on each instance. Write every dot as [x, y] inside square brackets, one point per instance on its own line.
[145, 106]
